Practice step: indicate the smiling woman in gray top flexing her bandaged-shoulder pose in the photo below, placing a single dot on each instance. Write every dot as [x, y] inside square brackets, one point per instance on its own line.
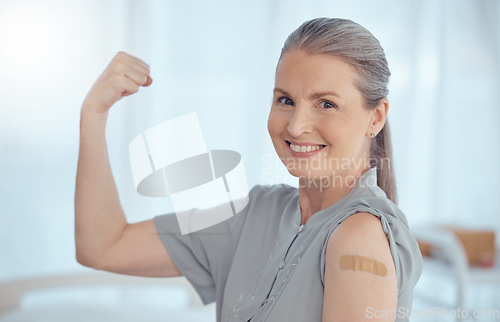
[335, 249]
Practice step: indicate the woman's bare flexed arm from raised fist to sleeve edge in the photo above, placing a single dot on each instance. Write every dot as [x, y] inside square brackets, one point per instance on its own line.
[104, 239]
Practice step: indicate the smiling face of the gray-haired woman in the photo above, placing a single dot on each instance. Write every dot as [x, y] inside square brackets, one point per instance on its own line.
[318, 124]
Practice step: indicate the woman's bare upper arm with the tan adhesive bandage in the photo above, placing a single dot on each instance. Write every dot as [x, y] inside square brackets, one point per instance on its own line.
[360, 277]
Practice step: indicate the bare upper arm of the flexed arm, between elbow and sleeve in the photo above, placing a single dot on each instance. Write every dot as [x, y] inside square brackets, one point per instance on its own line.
[139, 251]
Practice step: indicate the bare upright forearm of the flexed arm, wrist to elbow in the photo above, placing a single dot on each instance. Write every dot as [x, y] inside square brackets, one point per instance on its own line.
[99, 218]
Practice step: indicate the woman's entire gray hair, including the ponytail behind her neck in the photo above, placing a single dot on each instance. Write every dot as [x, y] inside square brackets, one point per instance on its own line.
[353, 42]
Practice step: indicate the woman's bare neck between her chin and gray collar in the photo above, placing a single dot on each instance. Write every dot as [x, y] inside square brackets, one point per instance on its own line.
[316, 195]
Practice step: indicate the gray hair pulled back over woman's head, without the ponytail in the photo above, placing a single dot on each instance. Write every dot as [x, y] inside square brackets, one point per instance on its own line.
[347, 39]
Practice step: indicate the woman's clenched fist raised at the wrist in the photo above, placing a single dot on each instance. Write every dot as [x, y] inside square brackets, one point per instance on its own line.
[123, 76]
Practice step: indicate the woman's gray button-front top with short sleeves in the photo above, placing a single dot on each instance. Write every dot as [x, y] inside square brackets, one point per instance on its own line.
[261, 265]
